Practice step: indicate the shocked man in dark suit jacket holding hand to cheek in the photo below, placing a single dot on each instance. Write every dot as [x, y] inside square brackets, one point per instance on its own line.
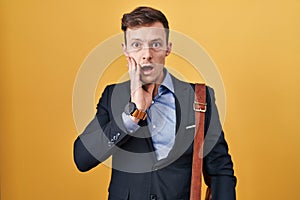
[147, 124]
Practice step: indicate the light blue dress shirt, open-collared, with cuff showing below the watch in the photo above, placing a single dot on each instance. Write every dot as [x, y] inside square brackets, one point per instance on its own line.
[161, 119]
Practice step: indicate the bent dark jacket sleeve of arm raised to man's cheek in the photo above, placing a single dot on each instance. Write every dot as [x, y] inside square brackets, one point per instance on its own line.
[103, 135]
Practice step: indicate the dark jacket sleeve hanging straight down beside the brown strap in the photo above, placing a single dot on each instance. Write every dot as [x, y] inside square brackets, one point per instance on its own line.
[217, 164]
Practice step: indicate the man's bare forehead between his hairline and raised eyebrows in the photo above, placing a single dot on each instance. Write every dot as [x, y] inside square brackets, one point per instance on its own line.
[150, 32]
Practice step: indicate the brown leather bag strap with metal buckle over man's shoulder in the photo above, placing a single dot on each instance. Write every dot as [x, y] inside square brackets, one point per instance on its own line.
[200, 109]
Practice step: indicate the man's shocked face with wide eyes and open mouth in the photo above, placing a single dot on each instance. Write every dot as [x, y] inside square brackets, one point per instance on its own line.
[147, 45]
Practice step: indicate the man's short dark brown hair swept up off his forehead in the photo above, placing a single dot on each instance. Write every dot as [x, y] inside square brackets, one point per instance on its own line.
[142, 16]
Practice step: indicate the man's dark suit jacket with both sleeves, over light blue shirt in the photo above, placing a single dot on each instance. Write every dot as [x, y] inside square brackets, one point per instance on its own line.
[136, 173]
